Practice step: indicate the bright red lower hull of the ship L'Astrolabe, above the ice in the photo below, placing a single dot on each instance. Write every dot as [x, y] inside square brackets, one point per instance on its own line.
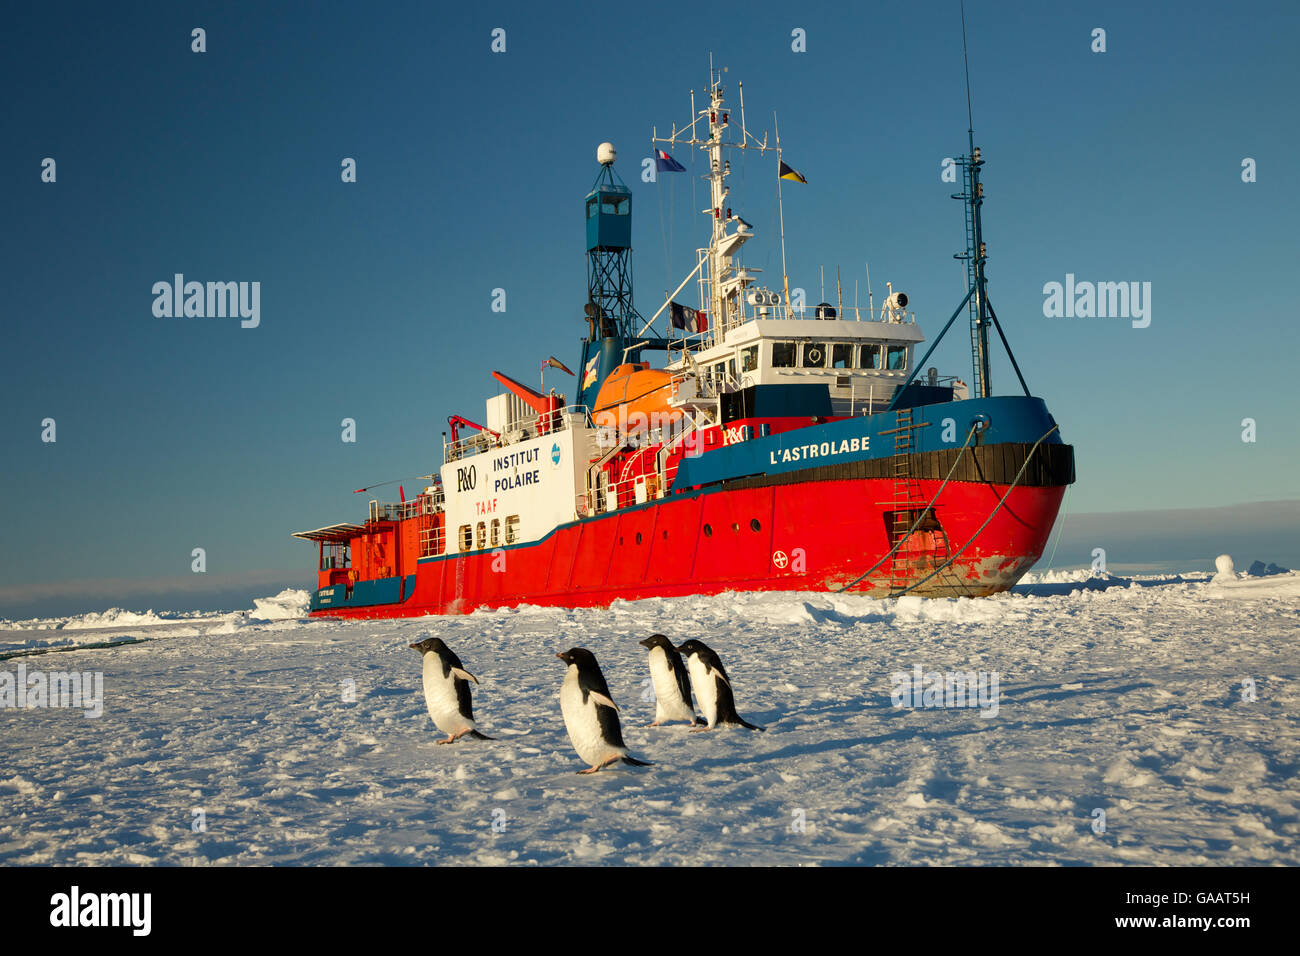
[801, 537]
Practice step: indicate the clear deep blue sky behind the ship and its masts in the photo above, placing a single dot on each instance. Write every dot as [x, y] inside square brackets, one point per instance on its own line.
[181, 434]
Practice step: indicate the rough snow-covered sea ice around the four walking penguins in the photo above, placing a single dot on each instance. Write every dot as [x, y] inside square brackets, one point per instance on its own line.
[309, 742]
